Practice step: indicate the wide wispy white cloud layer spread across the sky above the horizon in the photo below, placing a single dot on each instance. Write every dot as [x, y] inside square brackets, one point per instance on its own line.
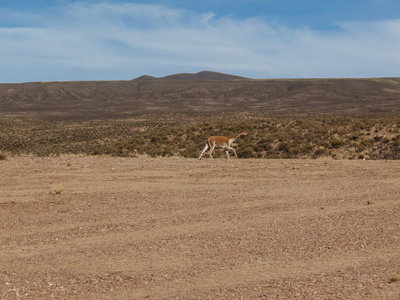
[120, 41]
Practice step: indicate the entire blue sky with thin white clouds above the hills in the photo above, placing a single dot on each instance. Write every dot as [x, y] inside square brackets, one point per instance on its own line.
[61, 40]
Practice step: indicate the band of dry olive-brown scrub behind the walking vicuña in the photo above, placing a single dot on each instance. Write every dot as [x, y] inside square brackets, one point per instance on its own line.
[184, 134]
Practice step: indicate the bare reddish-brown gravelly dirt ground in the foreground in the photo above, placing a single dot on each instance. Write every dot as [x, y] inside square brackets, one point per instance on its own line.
[175, 228]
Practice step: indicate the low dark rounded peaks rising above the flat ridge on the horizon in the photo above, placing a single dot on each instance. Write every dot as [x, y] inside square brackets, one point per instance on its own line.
[203, 75]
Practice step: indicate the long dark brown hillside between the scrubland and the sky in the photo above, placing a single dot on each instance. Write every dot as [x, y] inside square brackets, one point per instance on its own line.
[100, 99]
